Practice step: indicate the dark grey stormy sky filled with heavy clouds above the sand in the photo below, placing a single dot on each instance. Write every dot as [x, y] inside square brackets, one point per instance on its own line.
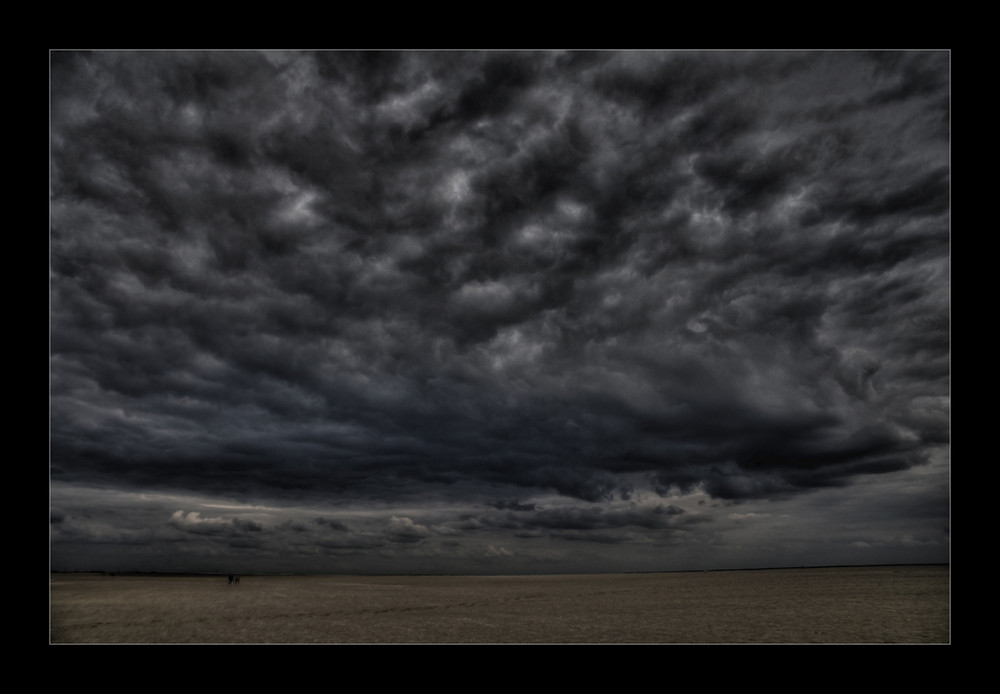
[498, 312]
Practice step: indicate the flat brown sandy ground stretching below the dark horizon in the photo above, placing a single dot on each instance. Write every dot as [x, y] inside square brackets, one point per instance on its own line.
[898, 604]
